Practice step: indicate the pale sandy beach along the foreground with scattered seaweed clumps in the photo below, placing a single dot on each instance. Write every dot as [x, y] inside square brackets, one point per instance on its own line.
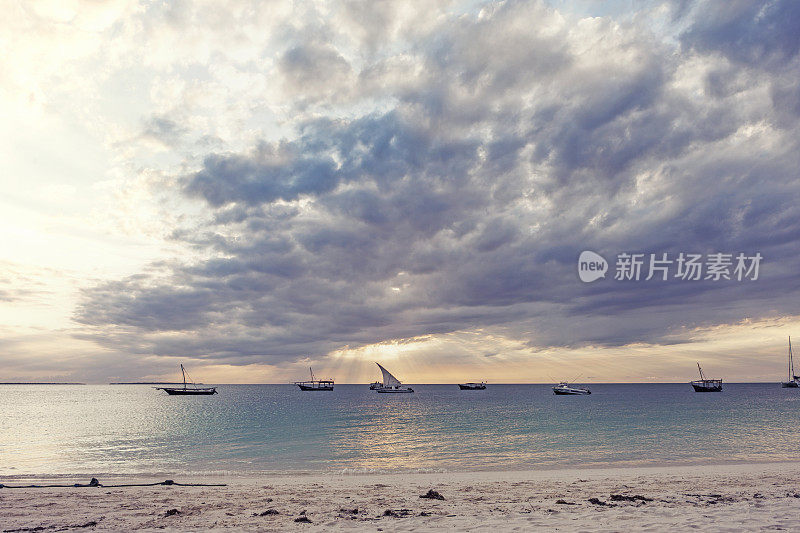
[719, 498]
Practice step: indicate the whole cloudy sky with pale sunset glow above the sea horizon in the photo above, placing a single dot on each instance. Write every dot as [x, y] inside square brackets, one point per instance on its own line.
[253, 188]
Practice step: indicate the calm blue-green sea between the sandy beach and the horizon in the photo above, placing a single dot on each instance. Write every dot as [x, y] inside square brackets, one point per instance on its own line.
[131, 429]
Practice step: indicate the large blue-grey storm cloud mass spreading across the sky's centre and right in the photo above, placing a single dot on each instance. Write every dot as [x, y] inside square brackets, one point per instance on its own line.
[521, 141]
